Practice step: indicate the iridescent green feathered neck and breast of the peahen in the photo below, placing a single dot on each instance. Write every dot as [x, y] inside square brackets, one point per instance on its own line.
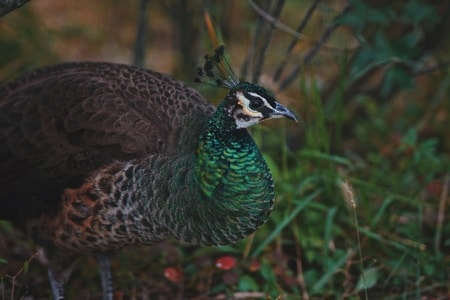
[235, 183]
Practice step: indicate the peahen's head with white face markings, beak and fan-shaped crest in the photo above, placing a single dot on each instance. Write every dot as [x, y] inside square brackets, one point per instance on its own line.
[247, 103]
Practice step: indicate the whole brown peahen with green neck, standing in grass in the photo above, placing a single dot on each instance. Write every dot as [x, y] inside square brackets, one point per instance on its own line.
[95, 157]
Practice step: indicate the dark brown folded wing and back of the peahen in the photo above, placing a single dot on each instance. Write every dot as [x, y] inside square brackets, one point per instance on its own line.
[60, 123]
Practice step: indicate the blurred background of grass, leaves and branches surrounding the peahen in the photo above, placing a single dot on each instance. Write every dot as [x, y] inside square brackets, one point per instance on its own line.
[363, 183]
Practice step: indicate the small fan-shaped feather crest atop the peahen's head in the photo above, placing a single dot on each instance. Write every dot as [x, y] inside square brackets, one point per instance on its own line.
[217, 71]
